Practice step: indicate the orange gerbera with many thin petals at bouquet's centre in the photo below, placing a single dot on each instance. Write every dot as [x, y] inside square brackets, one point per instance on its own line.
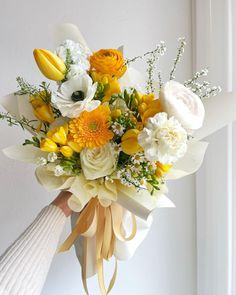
[91, 129]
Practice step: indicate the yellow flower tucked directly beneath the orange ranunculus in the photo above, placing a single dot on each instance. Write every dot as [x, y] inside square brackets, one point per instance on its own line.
[110, 83]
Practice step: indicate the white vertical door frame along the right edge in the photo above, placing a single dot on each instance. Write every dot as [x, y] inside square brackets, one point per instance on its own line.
[214, 39]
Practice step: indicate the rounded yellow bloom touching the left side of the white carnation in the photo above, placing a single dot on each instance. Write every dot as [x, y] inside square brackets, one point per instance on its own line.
[129, 142]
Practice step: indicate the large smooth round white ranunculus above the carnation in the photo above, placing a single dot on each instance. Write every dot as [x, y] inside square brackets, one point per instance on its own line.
[183, 104]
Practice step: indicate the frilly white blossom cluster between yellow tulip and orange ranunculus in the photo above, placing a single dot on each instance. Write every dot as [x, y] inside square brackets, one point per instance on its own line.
[79, 56]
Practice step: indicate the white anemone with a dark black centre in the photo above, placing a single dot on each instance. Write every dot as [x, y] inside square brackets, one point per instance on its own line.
[75, 96]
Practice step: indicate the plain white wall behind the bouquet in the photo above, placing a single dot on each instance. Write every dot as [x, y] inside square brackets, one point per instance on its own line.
[165, 263]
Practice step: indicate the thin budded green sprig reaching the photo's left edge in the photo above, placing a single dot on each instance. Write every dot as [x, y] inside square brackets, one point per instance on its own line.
[22, 122]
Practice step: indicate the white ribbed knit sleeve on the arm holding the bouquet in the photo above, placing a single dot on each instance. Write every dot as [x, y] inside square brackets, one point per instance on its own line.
[25, 264]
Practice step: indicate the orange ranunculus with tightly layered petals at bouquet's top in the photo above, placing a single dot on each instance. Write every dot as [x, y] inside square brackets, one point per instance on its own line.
[108, 61]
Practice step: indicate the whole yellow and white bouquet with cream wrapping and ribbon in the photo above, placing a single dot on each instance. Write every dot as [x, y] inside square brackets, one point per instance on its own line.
[112, 137]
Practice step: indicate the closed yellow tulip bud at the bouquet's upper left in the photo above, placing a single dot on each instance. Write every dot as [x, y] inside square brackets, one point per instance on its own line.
[50, 64]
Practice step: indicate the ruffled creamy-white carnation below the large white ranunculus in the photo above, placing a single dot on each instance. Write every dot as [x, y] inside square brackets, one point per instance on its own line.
[163, 139]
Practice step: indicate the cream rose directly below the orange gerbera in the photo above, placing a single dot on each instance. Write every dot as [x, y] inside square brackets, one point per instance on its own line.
[98, 162]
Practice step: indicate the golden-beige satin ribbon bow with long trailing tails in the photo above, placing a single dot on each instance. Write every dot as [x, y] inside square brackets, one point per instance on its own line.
[108, 223]
